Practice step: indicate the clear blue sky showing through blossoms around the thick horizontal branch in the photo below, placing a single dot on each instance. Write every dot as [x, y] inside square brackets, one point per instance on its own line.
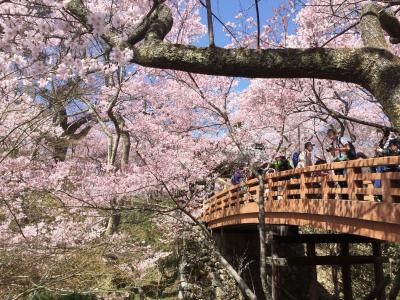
[226, 10]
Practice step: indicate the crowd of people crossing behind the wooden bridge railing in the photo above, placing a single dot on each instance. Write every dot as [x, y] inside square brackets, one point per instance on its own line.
[340, 149]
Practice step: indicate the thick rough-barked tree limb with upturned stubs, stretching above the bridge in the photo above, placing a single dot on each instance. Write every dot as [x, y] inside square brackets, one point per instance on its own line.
[374, 67]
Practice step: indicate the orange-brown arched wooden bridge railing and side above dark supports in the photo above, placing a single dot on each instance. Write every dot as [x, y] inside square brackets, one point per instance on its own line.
[316, 197]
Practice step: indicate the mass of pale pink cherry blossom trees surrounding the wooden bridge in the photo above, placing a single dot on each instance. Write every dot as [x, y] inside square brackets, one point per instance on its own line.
[108, 108]
